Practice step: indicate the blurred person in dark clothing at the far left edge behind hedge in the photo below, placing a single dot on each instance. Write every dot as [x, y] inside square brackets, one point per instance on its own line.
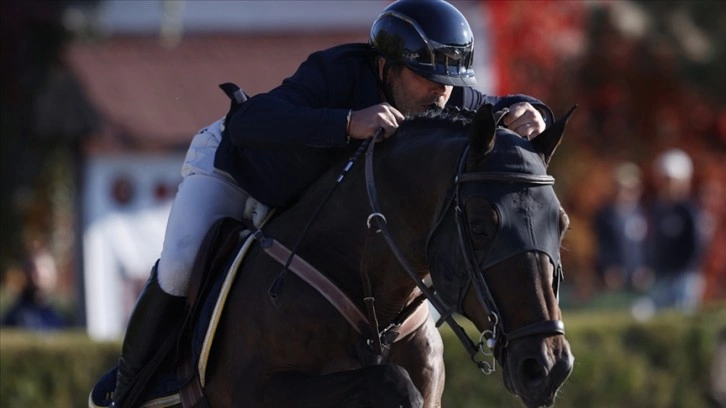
[32, 308]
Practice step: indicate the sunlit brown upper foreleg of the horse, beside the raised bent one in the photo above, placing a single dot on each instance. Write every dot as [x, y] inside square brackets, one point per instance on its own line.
[422, 355]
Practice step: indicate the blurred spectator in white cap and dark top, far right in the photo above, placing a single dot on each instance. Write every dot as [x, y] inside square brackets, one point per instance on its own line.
[675, 241]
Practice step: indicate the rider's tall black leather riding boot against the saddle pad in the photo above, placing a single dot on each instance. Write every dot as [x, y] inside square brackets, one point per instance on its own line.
[155, 314]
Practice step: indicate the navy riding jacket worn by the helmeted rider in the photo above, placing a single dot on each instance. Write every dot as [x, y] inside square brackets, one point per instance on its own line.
[277, 143]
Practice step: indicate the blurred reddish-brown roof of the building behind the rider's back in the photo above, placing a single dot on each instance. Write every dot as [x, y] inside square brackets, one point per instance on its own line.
[152, 96]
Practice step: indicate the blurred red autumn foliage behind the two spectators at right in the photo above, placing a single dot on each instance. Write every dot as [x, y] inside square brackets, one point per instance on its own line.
[633, 104]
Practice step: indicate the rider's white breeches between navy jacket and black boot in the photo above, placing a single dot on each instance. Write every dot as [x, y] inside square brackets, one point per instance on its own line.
[205, 195]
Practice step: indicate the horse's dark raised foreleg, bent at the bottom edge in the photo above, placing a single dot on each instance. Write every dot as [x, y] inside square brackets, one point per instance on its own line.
[374, 386]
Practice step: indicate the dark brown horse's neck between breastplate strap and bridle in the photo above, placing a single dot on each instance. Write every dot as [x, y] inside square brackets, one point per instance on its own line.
[411, 184]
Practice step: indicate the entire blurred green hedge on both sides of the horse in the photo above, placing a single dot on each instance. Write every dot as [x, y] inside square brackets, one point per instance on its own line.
[618, 363]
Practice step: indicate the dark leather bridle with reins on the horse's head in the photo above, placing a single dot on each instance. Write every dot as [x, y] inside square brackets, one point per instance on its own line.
[495, 337]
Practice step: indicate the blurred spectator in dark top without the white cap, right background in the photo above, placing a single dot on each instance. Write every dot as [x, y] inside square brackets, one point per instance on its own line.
[620, 227]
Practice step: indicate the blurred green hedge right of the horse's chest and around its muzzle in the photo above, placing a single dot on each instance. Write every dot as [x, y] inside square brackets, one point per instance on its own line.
[619, 362]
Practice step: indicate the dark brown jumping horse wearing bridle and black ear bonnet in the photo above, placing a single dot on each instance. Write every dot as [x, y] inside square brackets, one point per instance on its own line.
[329, 305]
